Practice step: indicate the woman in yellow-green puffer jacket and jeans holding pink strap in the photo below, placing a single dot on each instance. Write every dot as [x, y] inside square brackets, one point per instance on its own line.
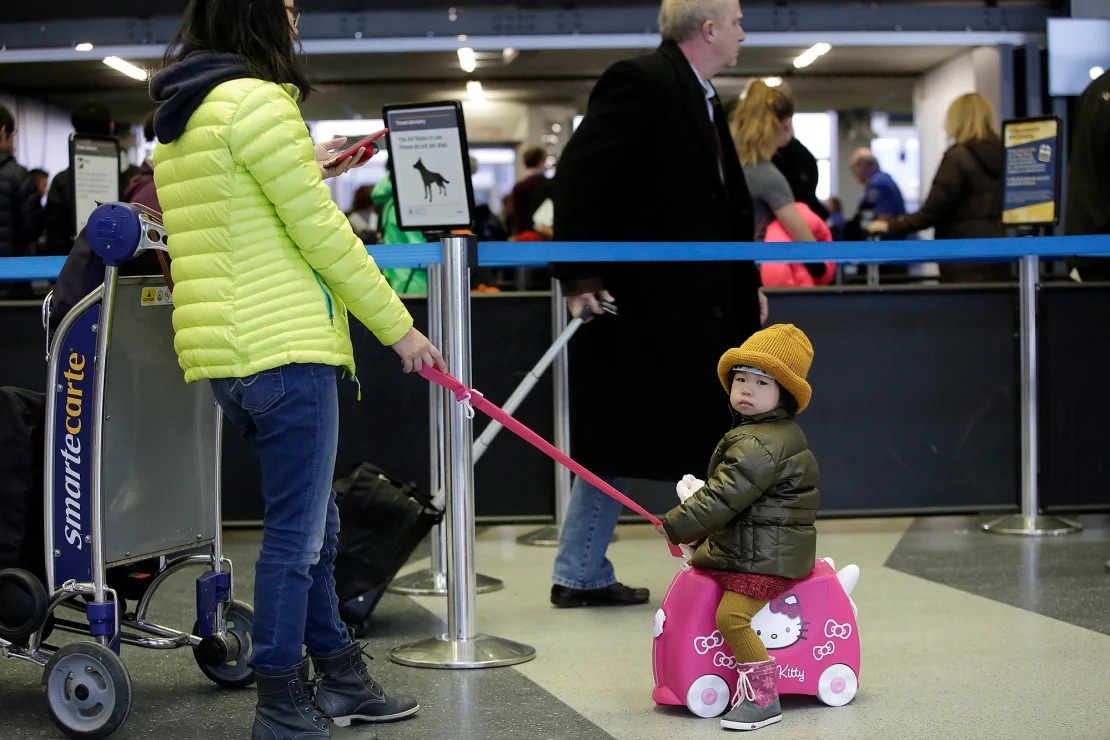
[267, 269]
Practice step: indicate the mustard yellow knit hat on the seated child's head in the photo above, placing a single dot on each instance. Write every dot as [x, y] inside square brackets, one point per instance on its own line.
[782, 351]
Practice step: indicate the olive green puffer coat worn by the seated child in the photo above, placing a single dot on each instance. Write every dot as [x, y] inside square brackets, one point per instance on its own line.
[758, 509]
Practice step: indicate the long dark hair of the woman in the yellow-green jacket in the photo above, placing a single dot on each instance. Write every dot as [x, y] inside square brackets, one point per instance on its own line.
[259, 32]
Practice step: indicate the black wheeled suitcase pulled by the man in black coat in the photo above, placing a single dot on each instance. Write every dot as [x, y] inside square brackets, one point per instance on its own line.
[382, 521]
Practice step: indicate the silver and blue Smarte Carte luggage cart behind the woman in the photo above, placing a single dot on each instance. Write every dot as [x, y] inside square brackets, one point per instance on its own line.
[133, 496]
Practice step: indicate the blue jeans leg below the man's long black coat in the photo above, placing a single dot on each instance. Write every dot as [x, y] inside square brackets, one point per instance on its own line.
[588, 529]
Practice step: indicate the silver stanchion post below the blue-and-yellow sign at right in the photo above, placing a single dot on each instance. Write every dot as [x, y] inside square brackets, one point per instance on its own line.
[1031, 522]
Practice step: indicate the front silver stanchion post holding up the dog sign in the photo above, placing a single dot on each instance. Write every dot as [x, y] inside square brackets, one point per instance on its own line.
[462, 646]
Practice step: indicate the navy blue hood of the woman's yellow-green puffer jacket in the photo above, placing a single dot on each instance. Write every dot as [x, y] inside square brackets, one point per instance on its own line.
[181, 88]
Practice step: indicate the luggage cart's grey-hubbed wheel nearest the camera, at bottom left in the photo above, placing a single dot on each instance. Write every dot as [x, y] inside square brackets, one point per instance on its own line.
[88, 691]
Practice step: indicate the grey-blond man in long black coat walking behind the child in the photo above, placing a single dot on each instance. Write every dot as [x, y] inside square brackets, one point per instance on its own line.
[652, 161]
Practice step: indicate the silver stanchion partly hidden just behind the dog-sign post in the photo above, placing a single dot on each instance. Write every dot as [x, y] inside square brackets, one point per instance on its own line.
[433, 581]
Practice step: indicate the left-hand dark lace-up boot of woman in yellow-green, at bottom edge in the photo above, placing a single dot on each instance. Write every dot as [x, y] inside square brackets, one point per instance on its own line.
[286, 709]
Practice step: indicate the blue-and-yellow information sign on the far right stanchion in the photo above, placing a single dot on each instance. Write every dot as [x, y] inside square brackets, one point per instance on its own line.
[1031, 191]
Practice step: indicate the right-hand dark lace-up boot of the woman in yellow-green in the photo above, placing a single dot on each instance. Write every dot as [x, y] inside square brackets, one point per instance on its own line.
[346, 692]
